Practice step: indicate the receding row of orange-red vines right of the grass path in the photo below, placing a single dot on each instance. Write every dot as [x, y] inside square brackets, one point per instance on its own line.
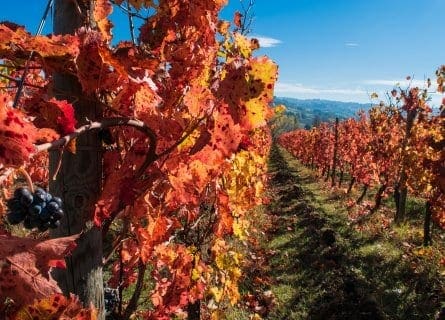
[396, 148]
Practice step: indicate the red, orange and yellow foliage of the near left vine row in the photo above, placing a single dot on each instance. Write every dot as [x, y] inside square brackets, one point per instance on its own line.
[181, 170]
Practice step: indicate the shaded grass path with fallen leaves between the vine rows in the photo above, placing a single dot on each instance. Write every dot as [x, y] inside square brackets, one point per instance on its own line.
[325, 269]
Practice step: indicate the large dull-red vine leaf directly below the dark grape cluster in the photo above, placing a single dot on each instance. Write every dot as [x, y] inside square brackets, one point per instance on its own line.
[25, 265]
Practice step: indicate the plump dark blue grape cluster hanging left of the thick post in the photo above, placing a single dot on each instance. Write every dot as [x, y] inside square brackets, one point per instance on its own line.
[37, 210]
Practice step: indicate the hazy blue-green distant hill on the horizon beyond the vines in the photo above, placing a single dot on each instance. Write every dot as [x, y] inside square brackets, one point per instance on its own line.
[311, 111]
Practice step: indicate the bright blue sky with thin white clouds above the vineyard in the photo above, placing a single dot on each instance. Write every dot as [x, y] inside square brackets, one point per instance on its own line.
[330, 49]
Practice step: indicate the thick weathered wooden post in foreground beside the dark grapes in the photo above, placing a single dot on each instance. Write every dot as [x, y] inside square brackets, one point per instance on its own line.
[78, 182]
